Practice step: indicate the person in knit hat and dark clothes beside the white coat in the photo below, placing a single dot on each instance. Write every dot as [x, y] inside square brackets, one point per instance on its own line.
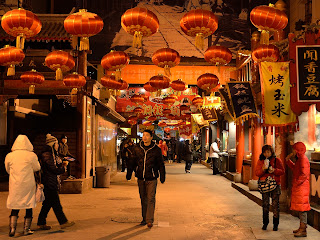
[52, 167]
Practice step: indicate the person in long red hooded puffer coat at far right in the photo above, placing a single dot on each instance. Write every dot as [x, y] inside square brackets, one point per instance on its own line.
[300, 186]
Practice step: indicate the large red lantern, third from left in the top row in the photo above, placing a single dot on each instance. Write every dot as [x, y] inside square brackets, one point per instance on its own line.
[139, 22]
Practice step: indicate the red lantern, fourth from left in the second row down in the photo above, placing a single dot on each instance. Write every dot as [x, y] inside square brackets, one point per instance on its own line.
[166, 58]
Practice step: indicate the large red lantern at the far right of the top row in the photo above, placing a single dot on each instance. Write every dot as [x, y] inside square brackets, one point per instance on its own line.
[268, 18]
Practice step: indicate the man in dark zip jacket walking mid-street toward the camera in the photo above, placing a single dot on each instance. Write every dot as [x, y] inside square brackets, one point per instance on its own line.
[148, 165]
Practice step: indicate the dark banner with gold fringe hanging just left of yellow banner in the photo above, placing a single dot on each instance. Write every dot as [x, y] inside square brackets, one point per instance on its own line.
[242, 100]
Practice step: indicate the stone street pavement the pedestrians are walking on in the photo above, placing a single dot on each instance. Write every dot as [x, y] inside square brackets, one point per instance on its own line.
[189, 206]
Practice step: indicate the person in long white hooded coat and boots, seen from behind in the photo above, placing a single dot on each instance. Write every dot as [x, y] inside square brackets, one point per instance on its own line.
[21, 164]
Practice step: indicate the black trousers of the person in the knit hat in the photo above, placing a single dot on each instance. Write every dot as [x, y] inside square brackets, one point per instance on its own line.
[52, 200]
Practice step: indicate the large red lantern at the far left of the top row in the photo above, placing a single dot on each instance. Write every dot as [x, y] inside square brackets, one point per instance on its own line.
[21, 24]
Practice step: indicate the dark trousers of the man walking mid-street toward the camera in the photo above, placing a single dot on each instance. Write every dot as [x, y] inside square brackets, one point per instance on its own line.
[147, 191]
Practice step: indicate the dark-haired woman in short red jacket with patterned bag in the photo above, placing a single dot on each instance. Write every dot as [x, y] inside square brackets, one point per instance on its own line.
[269, 166]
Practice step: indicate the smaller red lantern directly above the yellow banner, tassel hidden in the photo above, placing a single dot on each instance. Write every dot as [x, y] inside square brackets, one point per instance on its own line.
[265, 53]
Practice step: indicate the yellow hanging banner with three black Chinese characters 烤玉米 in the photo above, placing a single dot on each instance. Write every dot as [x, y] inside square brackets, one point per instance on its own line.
[275, 90]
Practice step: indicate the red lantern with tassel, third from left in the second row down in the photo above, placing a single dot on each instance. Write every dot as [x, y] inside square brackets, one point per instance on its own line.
[115, 61]
